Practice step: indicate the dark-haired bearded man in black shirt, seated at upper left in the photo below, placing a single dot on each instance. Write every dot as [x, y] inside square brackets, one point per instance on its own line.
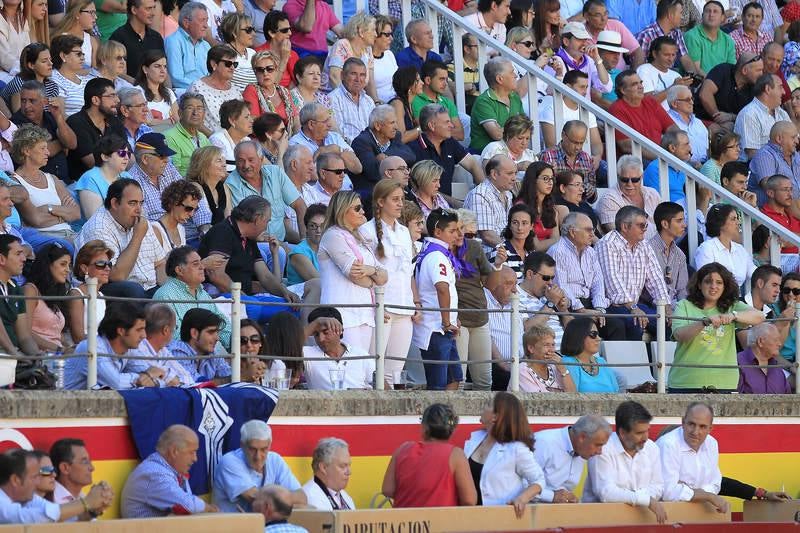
[98, 116]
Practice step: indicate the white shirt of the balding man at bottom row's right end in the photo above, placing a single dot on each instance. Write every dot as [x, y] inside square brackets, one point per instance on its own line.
[684, 469]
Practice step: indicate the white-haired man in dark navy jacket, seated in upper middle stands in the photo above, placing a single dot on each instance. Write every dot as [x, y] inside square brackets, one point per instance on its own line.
[376, 143]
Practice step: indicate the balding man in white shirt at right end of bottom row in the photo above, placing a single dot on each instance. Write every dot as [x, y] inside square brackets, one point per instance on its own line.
[690, 460]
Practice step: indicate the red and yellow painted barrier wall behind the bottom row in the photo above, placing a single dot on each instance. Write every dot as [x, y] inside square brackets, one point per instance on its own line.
[759, 451]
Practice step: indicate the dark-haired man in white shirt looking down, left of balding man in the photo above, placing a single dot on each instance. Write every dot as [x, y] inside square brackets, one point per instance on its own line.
[629, 469]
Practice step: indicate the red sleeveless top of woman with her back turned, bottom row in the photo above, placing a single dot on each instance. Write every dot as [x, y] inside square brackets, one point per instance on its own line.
[423, 477]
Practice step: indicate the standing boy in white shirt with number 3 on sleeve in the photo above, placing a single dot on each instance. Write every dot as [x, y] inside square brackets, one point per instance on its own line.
[436, 273]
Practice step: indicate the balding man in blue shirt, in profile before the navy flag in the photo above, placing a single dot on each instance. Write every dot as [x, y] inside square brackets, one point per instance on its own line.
[159, 486]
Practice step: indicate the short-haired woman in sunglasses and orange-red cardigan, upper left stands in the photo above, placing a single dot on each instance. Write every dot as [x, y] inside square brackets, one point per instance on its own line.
[268, 96]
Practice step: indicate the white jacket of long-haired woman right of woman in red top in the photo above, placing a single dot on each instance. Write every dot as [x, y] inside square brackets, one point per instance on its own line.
[509, 469]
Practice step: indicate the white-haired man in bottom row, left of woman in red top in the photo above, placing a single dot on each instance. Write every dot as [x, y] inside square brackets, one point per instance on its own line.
[331, 465]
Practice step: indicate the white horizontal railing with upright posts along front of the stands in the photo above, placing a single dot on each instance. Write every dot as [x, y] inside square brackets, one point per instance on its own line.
[514, 311]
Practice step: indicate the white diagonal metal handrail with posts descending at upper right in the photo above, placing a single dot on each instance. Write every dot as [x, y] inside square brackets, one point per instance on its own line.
[612, 123]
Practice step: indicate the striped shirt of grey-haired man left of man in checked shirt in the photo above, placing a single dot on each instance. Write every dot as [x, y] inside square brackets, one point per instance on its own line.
[578, 275]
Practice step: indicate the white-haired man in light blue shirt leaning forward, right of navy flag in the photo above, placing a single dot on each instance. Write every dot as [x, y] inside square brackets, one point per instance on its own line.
[240, 473]
